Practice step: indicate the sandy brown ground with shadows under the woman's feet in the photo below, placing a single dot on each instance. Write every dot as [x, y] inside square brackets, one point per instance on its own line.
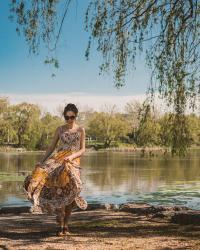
[98, 230]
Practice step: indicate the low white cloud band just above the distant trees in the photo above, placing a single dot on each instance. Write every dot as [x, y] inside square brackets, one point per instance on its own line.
[51, 102]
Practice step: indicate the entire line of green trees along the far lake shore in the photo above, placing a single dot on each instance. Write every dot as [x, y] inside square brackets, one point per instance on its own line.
[25, 125]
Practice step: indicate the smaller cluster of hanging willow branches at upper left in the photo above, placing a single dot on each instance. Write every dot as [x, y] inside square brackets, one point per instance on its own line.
[41, 23]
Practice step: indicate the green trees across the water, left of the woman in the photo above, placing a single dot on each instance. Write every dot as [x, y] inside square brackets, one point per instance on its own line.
[23, 125]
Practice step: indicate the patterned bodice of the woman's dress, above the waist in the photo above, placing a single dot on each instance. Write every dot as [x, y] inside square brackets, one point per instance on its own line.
[70, 140]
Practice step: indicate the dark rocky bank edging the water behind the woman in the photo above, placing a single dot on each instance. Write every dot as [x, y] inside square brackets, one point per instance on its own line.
[177, 213]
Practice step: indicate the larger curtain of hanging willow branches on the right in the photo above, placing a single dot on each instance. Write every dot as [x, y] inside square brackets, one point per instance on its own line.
[168, 31]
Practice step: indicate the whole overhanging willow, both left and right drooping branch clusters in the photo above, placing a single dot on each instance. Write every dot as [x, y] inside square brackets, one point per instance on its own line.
[168, 31]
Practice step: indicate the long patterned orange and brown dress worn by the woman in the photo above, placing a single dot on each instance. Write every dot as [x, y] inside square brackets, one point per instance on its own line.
[57, 183]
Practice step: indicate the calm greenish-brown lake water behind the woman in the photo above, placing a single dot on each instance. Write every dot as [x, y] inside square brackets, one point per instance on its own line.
[115, 177]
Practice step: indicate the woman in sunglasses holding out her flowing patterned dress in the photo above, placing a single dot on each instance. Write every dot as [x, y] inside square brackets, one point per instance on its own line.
[55, 184]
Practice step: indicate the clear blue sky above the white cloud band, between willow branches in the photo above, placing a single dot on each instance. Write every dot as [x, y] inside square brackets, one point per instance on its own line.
[22, 73]
